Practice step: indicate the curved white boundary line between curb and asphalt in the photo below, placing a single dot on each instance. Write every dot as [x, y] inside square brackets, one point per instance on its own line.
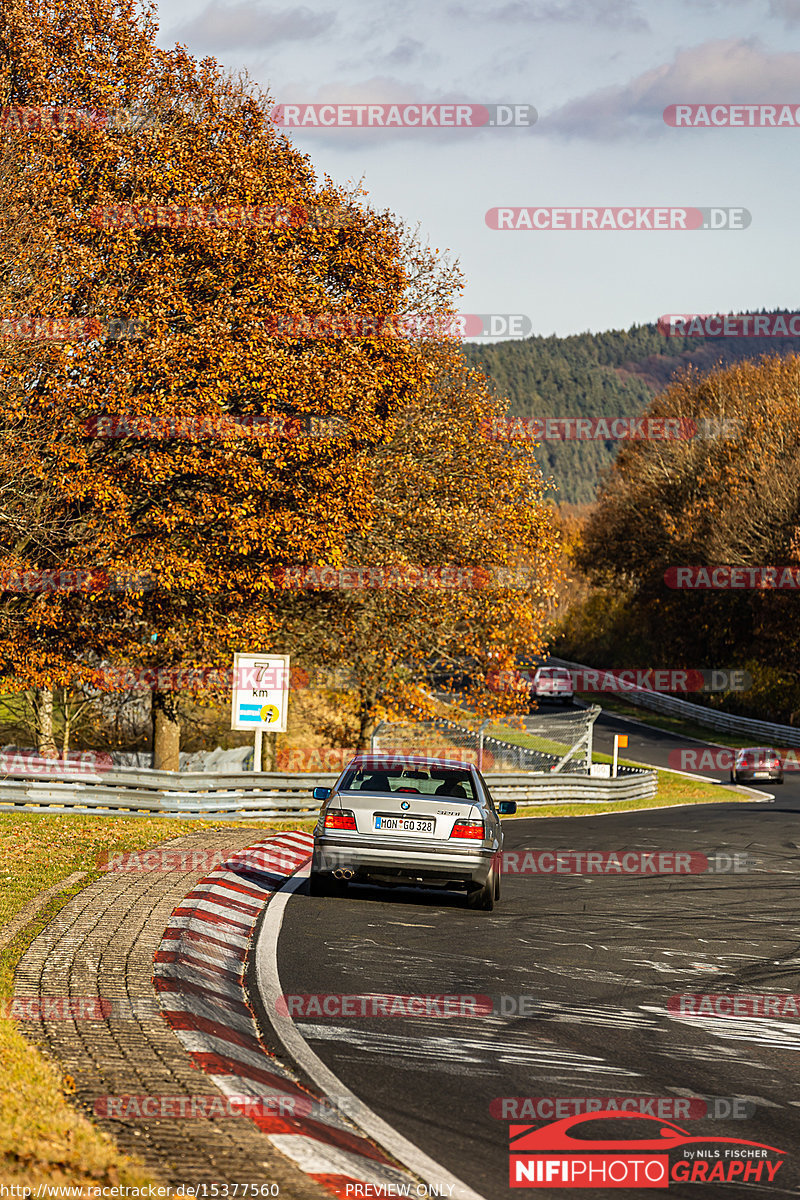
[270, 989]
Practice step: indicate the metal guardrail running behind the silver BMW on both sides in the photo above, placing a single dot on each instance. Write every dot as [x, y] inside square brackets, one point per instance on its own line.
[252, 796]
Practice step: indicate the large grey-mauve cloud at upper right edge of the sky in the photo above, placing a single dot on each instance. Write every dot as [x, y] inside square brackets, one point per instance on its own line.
[725, 73]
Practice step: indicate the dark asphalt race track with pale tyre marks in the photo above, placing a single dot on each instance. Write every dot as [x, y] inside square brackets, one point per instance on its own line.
[597, 959]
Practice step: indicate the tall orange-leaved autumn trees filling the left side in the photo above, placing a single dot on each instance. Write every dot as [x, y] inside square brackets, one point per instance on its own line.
[212, 519]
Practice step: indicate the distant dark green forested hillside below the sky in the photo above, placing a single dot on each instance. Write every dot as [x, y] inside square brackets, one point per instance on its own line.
[609, 375]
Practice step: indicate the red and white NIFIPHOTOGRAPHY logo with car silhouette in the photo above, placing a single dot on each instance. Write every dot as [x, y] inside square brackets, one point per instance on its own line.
[579, 1153]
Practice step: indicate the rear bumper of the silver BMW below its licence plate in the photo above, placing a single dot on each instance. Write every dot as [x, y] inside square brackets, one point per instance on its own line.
[420, 865]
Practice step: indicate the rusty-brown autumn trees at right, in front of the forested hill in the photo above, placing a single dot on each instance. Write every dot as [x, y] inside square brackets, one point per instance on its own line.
[727, 494]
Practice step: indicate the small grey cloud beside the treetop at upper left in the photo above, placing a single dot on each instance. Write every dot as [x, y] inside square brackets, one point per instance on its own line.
[231, 27]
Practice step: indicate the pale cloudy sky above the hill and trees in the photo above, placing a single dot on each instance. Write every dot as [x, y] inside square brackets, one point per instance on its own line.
[600, 75]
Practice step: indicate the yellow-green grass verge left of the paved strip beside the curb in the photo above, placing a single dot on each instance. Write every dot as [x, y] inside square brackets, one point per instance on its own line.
[43, 1138]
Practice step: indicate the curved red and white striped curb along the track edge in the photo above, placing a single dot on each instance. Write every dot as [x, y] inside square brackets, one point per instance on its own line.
[200, 977]
